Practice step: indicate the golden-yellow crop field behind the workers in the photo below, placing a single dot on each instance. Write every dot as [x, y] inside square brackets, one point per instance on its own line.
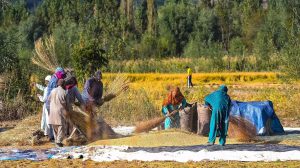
[147, 91]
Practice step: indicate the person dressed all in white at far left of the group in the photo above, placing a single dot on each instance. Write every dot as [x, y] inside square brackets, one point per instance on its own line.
[44, 122]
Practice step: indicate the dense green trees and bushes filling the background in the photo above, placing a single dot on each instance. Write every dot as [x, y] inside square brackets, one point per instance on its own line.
[233, 35]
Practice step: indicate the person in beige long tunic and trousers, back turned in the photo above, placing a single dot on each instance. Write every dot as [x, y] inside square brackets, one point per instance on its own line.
[58, 111]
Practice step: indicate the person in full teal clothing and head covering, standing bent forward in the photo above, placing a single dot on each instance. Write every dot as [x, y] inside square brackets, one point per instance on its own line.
[219, 101]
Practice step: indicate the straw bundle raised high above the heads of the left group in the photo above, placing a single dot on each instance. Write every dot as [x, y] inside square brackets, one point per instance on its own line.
[44, 55]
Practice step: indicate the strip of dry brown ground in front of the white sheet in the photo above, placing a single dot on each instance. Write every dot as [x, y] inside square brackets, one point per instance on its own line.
[126, 164]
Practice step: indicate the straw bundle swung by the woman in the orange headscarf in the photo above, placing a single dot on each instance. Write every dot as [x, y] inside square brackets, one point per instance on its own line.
[146, 126]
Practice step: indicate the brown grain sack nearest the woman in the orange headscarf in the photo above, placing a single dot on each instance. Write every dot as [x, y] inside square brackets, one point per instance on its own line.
[186, 117]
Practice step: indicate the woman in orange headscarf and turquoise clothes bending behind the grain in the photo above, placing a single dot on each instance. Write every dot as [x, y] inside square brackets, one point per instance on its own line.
[174, 101]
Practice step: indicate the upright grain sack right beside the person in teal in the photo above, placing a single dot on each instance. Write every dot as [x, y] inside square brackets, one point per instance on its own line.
[204, 114]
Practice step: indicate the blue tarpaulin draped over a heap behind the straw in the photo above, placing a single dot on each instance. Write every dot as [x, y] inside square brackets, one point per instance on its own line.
[260, 113]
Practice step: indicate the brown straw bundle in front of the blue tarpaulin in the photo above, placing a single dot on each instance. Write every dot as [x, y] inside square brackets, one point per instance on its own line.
[241, 129]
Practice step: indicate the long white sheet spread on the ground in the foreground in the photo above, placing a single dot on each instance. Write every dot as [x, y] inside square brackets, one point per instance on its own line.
[232, 152]
